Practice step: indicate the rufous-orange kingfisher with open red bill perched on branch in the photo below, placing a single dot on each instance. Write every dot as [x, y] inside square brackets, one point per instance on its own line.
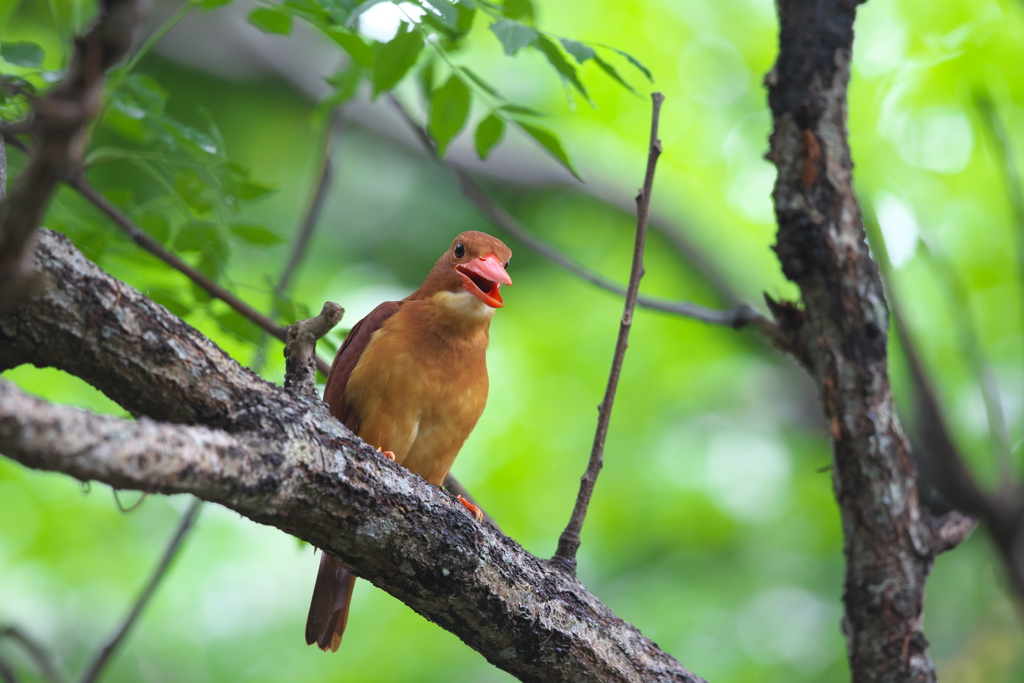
[411, 379]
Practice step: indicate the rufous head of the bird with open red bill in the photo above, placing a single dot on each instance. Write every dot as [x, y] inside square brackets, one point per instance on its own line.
[477, 264]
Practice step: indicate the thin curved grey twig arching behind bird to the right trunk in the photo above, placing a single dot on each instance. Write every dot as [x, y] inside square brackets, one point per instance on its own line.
[737, 318]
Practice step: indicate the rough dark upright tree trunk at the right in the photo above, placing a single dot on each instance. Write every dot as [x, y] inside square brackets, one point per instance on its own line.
[840, 336]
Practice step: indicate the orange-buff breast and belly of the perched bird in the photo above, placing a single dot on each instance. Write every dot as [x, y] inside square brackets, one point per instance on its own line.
[419, 393]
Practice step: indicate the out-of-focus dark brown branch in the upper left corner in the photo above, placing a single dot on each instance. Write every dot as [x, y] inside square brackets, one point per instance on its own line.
[61, 126]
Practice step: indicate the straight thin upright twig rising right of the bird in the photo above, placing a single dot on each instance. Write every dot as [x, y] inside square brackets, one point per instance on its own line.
[569, 543]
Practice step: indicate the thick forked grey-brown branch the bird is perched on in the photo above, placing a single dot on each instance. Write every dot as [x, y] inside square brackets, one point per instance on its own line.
[277, 457]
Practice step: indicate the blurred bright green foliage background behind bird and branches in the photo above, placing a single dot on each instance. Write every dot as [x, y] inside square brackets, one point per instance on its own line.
[713, 527]
